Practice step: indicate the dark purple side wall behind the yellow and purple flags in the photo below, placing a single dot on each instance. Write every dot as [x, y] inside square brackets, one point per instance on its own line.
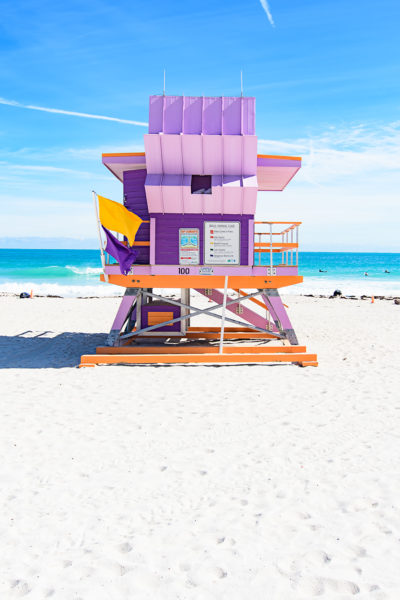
[135, 200]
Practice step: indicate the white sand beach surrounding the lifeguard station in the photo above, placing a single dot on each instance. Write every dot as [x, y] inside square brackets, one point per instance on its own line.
[199, 482]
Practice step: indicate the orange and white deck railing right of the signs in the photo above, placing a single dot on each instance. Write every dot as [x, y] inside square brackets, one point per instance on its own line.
[283, 248]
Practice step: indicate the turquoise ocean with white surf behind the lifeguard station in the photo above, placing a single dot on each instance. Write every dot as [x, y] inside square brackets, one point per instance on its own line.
[74, 273]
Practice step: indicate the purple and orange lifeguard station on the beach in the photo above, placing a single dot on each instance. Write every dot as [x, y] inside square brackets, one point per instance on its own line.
[195, 192]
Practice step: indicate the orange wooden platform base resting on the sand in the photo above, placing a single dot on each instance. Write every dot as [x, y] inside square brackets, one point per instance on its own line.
[171, 354]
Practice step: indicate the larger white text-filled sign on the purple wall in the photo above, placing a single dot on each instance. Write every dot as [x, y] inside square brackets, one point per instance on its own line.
[221, 243]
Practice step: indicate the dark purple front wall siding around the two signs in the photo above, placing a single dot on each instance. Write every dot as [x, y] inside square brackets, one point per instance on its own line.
[167, 234]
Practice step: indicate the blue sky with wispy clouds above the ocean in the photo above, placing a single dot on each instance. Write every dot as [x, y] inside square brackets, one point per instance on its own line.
[326, 76]
